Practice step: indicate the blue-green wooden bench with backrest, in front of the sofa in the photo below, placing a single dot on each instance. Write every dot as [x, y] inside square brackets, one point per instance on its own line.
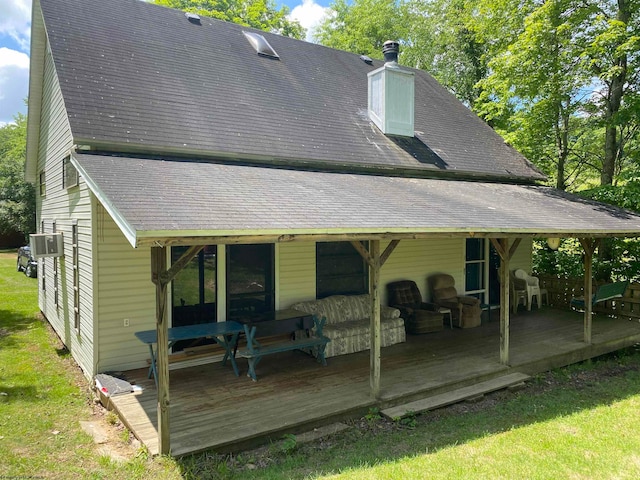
[254, 352]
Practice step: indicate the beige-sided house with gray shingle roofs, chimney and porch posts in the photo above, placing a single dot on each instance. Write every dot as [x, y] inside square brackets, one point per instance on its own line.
[151, 132]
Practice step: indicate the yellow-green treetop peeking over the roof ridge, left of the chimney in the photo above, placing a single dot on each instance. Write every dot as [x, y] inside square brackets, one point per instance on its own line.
[260, 14]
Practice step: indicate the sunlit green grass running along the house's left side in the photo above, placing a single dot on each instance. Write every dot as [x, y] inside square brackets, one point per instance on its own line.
[43, 396]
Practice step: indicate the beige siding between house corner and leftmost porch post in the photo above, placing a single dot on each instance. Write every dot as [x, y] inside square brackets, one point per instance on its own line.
[124, 291]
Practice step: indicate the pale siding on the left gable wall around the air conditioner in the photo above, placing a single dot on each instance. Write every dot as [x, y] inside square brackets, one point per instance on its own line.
[62, 207]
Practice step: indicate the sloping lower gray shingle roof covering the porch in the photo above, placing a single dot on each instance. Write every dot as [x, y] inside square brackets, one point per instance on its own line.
[167, 201]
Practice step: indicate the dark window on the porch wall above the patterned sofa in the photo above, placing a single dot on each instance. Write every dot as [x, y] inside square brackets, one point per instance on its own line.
[340, 270]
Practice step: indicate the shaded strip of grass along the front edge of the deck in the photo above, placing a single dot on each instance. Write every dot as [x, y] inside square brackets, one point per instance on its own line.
[554, 395]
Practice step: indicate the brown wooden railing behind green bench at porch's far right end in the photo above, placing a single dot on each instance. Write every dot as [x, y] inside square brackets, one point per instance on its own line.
[561, 290]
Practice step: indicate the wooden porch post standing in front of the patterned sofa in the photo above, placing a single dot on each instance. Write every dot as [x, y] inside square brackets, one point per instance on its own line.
[374, 289]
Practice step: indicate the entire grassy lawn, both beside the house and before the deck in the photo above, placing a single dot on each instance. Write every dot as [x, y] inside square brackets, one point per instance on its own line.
[577, 422]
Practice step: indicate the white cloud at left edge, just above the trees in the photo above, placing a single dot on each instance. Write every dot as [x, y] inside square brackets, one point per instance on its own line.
[14, 83]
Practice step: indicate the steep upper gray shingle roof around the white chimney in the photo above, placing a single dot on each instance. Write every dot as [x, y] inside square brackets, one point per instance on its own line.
[140, 76]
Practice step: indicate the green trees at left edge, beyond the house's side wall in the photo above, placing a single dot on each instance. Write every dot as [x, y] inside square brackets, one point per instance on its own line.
[17, 197]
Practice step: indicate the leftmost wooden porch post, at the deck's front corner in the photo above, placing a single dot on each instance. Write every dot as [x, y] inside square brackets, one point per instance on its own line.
[158, 271]
